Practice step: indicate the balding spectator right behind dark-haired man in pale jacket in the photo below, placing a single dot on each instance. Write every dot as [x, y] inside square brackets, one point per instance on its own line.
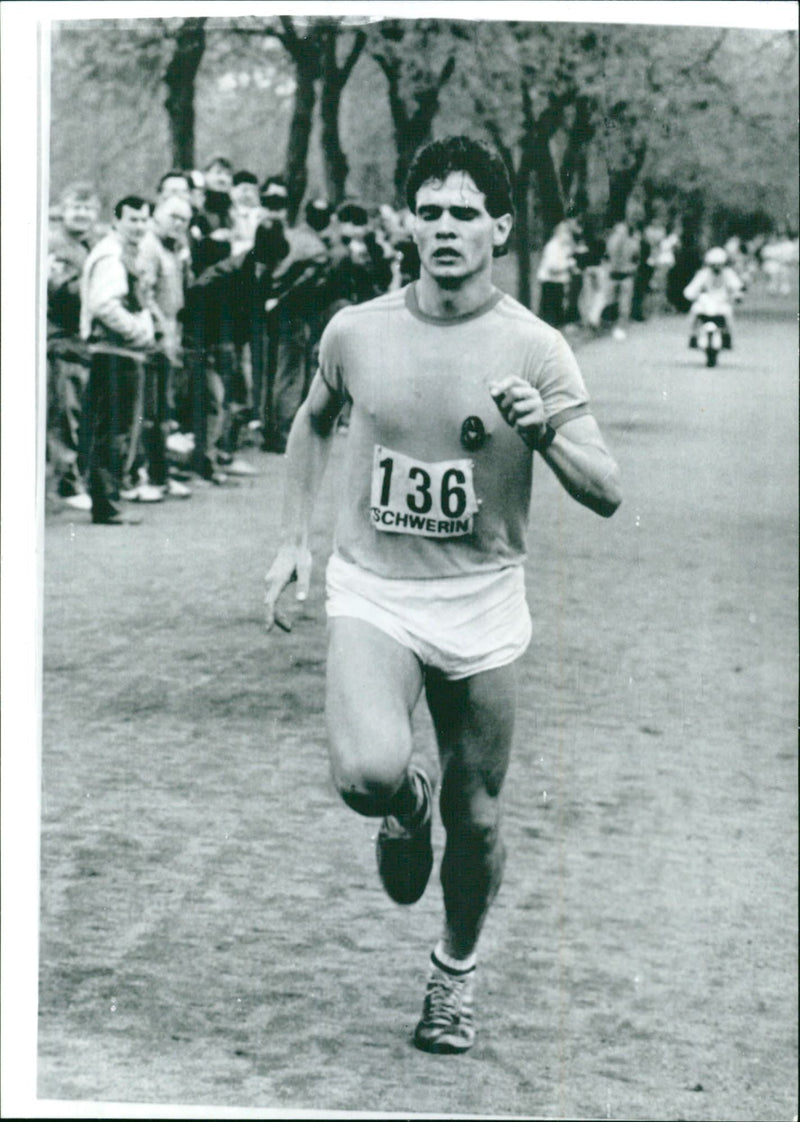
[164, 268]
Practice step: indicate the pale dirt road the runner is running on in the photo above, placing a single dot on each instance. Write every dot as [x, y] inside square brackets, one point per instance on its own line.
[213, 928]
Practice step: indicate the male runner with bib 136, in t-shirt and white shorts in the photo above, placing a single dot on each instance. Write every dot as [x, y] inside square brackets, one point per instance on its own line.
[454, 388]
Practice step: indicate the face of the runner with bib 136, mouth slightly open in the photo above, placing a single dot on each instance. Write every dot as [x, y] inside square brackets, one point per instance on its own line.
[455, 233]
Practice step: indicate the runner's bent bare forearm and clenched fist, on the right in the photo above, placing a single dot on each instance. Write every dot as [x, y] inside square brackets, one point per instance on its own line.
[577, 454]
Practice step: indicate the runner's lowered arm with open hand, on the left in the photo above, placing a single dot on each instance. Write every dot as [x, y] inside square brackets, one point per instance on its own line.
[307, 456]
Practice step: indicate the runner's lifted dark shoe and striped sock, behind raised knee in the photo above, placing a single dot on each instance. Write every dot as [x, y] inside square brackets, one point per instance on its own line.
[406, 856]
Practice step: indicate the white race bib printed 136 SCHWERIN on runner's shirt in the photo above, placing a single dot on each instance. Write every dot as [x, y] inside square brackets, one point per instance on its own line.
[429, 500]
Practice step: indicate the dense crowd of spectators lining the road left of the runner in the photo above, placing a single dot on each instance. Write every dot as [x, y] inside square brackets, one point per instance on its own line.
[187, 328]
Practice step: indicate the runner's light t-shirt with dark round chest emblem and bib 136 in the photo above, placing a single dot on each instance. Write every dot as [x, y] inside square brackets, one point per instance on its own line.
[436, 483]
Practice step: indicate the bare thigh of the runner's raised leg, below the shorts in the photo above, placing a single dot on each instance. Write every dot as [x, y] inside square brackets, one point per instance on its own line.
[373, 685]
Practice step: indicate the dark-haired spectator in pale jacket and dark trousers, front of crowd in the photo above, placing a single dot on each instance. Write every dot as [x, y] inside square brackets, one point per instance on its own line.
[121, 333]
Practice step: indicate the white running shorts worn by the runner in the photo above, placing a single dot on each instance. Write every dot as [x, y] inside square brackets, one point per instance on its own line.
[459, 626]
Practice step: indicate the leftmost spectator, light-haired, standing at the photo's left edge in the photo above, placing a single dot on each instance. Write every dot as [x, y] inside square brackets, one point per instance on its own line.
[70, 243]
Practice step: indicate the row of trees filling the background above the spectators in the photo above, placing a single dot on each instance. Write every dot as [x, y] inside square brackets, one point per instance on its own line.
[587, 117]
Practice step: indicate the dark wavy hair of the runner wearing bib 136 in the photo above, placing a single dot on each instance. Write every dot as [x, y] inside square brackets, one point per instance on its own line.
[463, 154]
